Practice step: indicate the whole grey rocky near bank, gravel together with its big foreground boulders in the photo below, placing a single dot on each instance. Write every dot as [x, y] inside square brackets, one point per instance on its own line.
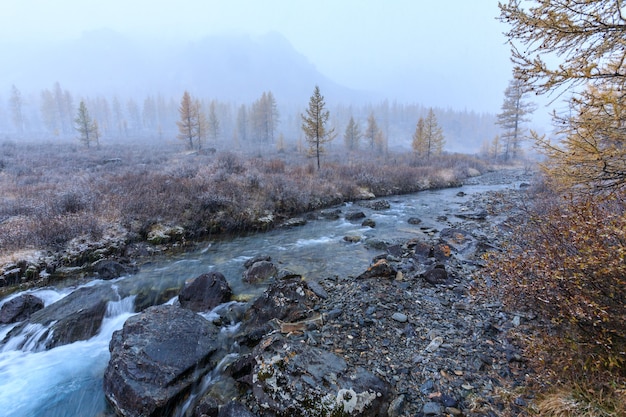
[404, 338]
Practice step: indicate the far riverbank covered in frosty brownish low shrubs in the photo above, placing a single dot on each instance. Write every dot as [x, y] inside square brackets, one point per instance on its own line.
[69, 213]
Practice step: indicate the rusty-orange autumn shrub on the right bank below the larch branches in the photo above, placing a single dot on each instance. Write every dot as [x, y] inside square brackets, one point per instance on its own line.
[567, 263]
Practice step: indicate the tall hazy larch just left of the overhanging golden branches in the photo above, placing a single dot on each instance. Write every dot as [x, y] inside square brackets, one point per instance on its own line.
[513, 116]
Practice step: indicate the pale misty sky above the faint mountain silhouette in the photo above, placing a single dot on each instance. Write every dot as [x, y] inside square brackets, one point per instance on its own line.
[441, 53]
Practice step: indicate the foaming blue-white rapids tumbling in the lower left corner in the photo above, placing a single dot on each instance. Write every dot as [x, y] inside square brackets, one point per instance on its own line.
[63, 381]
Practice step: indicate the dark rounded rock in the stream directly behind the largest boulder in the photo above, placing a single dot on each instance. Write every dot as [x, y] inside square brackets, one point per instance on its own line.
[205, 292]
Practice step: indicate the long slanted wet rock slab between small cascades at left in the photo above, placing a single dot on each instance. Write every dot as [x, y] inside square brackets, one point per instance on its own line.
[75, 317]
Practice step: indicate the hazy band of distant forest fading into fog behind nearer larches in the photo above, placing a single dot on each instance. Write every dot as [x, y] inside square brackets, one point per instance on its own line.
[50, 115]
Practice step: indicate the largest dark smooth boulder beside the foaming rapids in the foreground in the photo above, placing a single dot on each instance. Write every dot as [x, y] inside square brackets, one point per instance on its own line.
[155, 359]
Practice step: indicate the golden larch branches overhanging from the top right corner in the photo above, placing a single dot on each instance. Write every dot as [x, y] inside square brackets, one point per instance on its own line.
[559, 44]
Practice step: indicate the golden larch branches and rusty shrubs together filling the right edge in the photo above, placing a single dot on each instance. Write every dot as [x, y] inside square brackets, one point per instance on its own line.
[566, 262]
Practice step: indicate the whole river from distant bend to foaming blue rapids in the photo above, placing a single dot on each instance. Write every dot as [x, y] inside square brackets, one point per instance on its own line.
[67, 380]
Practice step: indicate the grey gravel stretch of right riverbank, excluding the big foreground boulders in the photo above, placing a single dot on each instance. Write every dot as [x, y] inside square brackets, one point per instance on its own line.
[442, 351]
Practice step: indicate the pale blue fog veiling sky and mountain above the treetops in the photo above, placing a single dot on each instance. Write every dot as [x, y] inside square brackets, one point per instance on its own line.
[448, 55]
